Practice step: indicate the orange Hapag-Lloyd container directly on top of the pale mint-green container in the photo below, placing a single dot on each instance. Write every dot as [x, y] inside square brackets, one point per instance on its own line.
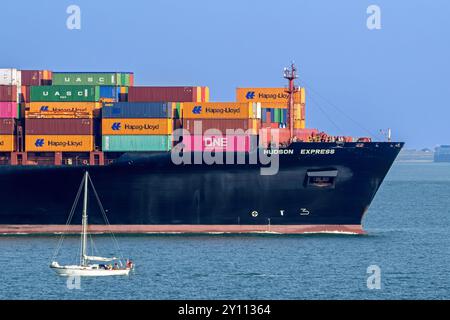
[148, 126]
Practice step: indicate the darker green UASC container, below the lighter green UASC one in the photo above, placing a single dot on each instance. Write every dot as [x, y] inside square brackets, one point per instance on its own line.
[64, 93]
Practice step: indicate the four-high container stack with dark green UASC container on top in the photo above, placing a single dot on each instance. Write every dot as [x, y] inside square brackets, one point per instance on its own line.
[59, 118]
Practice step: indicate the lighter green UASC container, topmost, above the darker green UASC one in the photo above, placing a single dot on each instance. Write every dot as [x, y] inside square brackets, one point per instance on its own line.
[91, 79]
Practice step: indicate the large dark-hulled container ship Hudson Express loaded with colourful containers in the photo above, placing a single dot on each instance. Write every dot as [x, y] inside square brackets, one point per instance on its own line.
[167, 159]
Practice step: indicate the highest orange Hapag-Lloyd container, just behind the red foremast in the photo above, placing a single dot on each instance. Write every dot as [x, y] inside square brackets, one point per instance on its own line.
[273, 95]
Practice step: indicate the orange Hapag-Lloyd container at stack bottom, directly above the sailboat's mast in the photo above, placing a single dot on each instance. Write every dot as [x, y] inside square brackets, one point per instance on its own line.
[56, 143]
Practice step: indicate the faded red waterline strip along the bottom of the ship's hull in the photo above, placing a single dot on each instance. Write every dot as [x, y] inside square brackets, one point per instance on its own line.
[139, 229]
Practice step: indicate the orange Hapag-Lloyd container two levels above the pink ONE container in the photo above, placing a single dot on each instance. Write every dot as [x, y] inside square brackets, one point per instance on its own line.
[221, 110]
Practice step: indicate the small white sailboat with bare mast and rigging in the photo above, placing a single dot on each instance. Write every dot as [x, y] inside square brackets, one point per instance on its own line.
[89, 264]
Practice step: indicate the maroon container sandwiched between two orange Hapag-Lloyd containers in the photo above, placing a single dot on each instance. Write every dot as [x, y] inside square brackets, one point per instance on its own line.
[59, 126]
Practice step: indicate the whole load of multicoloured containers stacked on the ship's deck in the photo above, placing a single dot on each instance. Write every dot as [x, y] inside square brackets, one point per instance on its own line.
[62, 110]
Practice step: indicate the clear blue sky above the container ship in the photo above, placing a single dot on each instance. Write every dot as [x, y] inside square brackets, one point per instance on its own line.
[358, 80]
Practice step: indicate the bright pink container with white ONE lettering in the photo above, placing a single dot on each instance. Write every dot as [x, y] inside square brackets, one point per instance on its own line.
[220, 143]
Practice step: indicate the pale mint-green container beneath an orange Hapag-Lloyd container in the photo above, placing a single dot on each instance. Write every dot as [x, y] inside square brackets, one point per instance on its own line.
[122, 143]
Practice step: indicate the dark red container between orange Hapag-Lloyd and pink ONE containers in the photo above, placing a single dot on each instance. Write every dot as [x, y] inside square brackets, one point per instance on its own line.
[220, 124]
